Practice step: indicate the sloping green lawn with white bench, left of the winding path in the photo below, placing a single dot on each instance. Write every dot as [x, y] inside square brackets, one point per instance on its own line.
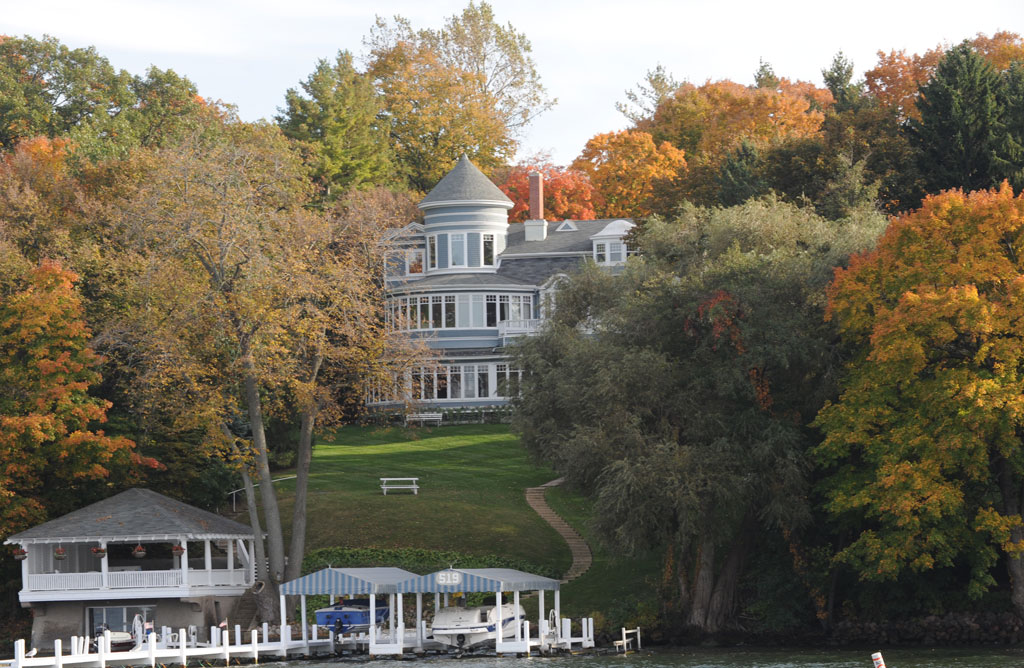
[473, 482]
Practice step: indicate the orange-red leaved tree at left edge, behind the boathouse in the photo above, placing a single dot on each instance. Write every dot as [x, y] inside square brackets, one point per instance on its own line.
[53, 460]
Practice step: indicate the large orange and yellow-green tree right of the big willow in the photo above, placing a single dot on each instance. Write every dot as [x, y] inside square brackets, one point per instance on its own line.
[924, 445]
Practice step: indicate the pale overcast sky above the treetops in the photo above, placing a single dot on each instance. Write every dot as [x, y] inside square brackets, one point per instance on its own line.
[249, 53]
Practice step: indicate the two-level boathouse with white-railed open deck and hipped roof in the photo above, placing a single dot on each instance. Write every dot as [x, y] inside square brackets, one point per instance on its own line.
[139, 553]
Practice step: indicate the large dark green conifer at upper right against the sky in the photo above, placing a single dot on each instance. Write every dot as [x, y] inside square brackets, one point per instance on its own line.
[962, 136]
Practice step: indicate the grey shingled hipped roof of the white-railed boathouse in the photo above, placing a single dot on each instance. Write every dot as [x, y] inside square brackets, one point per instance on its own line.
[136, 515]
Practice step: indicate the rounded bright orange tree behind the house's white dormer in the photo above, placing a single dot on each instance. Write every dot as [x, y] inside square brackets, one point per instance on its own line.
[625, 169]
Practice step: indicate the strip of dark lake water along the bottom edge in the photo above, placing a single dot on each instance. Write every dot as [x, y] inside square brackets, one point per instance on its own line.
[703, 658]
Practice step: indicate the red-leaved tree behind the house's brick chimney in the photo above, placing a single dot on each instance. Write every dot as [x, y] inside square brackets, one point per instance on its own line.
[568, 193]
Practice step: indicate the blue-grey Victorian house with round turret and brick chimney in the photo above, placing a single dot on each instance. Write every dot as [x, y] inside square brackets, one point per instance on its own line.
[471, 283]
